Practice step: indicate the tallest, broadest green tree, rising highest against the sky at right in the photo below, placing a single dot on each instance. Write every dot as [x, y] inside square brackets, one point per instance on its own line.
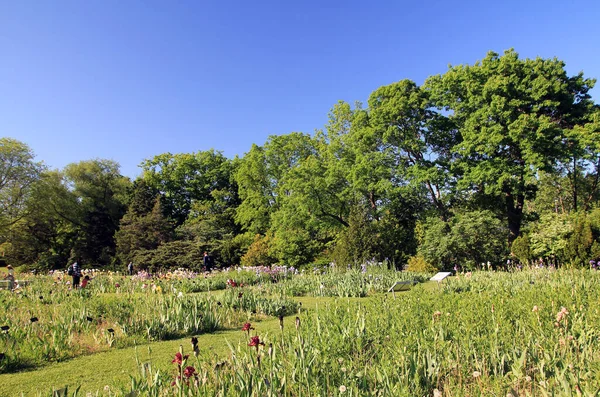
[510, 115]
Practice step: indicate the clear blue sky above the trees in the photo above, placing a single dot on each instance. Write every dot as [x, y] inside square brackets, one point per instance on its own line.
[127, 80]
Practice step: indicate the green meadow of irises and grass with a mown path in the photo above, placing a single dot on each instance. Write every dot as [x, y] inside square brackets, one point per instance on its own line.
[322, 332]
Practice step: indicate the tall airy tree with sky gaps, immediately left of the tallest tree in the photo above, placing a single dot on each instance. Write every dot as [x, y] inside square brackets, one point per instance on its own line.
[416, 139]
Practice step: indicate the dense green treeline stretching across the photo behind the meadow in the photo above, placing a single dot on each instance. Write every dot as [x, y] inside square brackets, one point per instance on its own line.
[487, 162]
